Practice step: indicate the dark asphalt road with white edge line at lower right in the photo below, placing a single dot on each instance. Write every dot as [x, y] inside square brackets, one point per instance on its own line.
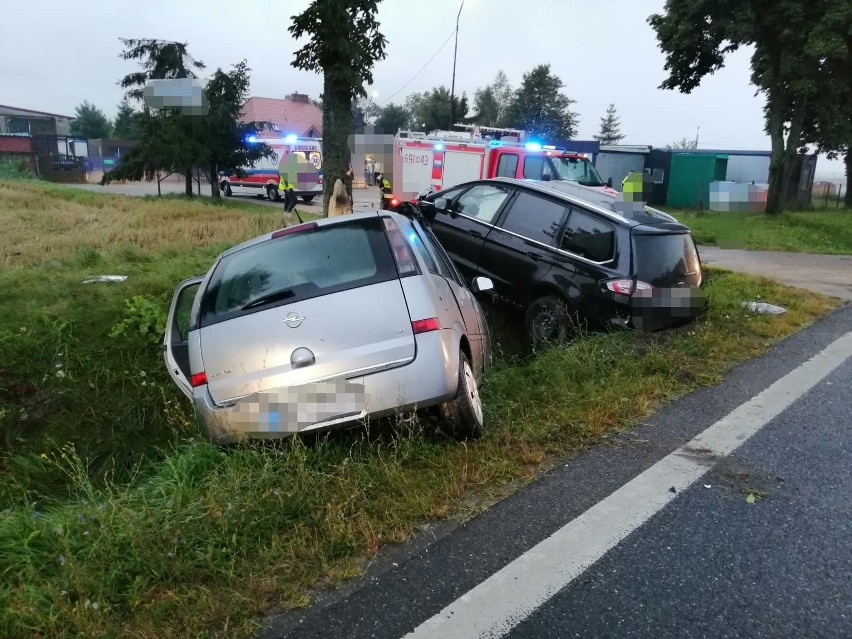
[704, 563]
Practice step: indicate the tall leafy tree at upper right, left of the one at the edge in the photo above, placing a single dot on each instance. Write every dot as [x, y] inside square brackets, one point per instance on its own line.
[696, 35]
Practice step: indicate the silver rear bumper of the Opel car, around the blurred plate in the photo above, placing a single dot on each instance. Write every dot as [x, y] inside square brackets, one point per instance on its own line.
[431, 378]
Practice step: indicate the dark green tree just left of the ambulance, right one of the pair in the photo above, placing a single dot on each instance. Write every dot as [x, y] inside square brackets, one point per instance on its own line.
[224, 137]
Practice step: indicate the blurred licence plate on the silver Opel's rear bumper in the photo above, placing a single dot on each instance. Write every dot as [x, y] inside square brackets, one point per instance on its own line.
[294, 408]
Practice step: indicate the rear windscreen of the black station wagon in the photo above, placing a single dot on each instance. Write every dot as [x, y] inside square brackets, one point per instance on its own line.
[667, 259]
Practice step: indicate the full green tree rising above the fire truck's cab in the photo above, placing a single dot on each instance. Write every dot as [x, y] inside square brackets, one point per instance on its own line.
[540, 107]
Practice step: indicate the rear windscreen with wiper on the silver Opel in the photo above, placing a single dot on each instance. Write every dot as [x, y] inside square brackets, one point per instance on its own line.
[296, 267]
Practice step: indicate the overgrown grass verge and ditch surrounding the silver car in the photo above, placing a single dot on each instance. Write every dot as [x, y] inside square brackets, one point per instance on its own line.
[116, 519]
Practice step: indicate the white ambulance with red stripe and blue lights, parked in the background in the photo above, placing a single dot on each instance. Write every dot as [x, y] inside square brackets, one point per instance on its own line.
[262, 179]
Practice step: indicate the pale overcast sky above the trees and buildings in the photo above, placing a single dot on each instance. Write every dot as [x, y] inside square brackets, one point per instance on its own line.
[604, 51]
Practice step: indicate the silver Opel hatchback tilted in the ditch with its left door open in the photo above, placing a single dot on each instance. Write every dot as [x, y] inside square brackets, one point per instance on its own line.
[328, 323]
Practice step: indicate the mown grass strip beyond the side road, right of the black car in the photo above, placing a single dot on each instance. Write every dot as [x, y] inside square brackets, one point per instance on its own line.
[823, 231]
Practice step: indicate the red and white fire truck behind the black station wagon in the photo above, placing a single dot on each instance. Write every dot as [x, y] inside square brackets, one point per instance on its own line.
[441, 159]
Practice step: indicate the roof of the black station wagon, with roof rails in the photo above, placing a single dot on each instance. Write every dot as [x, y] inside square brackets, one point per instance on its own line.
[596, 200]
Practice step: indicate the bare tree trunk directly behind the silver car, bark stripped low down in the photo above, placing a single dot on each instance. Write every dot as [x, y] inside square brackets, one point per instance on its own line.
[336, 157]
